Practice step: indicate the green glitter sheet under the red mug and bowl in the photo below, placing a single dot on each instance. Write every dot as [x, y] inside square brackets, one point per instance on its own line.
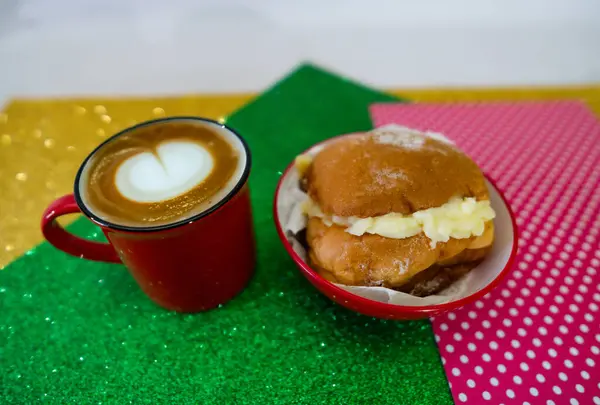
[78, 332]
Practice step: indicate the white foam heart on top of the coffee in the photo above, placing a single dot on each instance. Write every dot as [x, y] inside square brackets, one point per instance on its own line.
[175, 168]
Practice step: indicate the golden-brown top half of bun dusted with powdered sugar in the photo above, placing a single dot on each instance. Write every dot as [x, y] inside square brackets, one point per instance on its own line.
[375, 174]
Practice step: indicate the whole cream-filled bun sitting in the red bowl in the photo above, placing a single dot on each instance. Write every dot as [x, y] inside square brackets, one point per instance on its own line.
[400, 209]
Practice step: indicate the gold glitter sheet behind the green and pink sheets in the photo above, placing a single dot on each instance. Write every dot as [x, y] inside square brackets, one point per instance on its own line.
[42, 142]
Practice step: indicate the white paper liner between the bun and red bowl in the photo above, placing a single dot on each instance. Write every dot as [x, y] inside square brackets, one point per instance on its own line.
[292, 221]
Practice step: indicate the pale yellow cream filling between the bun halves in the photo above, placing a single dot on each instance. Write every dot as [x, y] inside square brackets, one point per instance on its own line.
[459, 218]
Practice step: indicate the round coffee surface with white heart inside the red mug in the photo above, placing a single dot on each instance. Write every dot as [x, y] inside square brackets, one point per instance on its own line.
[162, 173]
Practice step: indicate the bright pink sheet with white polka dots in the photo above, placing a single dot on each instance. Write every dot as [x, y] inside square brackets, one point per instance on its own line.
[536, 338]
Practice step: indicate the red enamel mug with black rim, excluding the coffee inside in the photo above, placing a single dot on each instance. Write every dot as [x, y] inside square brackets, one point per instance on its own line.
[187, 266]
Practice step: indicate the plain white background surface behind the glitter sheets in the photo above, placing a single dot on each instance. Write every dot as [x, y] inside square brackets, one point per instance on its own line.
[84, 47]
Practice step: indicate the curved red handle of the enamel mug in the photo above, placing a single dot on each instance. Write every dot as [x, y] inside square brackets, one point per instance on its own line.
[69, 243]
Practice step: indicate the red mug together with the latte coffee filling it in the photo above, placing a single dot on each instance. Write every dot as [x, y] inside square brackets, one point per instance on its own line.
[172, 198]
